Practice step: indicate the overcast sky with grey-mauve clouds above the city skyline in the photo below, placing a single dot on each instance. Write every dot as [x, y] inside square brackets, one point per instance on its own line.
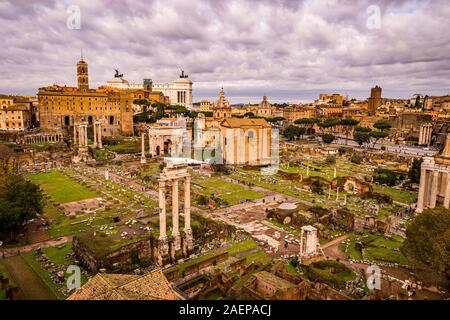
[291, 50]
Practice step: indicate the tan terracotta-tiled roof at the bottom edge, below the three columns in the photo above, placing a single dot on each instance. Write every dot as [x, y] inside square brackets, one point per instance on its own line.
[151, 286]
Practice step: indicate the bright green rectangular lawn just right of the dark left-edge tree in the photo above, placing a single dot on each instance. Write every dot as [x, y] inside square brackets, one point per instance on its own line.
[60, 188]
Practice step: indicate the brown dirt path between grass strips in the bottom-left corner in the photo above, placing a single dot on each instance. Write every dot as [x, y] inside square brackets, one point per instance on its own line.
[31, 286]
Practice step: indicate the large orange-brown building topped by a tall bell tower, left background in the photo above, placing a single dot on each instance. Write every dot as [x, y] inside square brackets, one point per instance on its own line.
[66, 107]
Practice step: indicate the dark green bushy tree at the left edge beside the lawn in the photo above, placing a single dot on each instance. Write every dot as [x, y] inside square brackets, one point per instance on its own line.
[20, 200]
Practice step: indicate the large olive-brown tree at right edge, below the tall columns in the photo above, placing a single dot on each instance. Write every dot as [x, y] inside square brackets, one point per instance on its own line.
[428, 241]
